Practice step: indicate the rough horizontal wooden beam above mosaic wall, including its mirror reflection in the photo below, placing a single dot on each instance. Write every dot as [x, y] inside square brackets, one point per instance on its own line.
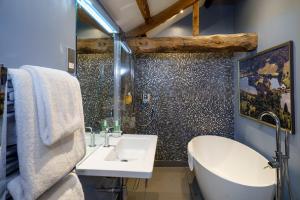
[241, 42]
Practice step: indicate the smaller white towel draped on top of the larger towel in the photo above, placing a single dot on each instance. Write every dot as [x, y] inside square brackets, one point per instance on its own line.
[59, 103]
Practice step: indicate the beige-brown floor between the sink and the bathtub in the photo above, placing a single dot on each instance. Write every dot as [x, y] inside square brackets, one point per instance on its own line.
[167, 183]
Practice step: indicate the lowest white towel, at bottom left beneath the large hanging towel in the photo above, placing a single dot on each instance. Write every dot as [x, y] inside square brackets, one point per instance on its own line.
[67, 188]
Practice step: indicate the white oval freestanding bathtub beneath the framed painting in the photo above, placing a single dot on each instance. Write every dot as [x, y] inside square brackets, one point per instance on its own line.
[228, 170]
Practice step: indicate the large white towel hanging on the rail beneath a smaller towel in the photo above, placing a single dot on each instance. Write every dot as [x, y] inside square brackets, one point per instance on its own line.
[40, 166]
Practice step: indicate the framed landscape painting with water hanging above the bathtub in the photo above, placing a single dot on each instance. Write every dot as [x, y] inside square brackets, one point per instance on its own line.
[266, 84]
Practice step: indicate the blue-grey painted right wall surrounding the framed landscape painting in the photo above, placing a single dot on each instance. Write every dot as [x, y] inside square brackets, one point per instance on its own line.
[276, 22]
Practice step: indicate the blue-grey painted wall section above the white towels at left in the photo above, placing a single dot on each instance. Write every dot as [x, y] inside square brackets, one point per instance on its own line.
[37, 32]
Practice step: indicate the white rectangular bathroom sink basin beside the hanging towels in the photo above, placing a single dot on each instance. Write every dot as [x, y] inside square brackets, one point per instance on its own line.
[130, 155]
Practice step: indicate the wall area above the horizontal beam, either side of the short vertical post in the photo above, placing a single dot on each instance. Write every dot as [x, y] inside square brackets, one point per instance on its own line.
[216, 19]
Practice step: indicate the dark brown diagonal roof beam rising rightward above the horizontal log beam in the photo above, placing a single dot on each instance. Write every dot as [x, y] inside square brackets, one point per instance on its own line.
[161, 17]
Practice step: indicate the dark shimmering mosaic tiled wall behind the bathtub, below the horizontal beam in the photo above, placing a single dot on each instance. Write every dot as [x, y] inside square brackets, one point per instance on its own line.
[192, 94]
